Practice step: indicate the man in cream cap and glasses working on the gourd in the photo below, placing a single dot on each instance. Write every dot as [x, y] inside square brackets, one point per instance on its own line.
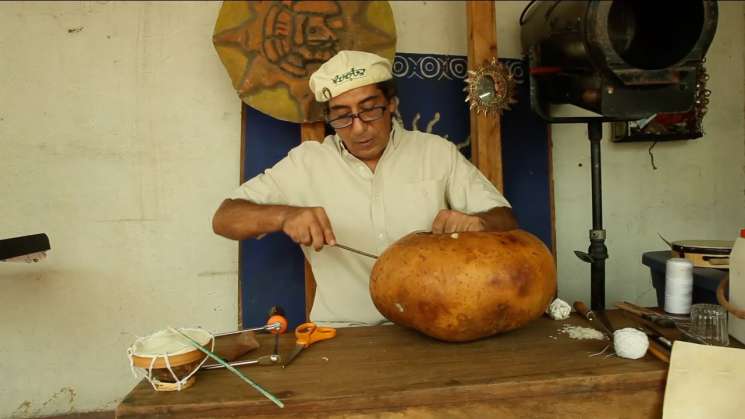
[365, 187]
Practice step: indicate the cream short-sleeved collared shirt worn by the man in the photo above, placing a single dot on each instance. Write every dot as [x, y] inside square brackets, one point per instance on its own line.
[417, 175]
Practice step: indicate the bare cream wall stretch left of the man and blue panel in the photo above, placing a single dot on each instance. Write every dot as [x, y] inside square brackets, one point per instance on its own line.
[118, 141]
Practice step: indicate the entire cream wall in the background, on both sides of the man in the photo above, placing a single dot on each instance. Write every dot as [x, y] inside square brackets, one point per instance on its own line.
[119, 141]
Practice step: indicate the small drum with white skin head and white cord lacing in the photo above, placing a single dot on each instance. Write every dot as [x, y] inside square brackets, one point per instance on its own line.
[168, 360]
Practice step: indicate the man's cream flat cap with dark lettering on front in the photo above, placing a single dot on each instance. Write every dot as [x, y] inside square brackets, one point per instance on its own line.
[348, 70]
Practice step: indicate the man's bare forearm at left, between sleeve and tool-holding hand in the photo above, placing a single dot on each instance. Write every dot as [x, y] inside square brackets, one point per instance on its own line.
[239, 219]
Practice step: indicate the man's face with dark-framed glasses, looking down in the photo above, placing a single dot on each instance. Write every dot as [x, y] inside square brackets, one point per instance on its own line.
[365, 140]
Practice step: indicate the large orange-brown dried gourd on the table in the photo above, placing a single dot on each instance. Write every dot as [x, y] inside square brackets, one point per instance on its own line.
[464, 286]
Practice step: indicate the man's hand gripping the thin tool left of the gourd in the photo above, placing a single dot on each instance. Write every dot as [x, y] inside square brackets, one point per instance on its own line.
[308, 226]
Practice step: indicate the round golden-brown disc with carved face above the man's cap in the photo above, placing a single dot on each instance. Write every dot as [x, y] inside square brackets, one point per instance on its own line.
[270, 48]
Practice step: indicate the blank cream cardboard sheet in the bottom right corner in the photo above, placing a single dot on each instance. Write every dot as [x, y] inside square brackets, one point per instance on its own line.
[705, 382]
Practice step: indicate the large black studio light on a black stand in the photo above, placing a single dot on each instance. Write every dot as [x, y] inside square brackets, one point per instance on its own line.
[624, 60]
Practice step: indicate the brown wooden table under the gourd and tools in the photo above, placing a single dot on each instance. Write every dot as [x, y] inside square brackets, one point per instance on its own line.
[388, 371]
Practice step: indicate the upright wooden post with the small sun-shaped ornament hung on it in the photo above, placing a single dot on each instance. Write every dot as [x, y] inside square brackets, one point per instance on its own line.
[486, 137]
